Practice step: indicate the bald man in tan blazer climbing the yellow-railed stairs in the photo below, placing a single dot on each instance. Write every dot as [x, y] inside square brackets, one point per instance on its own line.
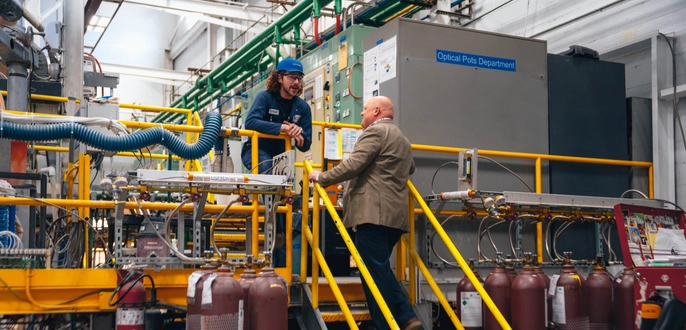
[375, 204]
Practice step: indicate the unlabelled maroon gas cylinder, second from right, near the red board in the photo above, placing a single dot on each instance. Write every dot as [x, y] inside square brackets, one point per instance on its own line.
[598, 290]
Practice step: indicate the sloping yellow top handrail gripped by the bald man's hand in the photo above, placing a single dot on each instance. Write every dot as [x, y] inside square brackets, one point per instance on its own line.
[353, 251]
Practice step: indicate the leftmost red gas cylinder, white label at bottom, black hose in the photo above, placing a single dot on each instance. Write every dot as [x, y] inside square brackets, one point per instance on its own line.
[131, 307]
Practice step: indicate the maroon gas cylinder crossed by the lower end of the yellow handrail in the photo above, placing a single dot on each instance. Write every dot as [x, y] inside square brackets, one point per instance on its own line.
[498, 285]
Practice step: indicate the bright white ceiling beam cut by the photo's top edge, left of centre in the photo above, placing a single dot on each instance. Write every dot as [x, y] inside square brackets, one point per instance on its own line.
[208, 8]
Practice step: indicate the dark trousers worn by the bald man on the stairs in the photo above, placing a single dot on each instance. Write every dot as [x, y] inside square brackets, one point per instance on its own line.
[375, 244]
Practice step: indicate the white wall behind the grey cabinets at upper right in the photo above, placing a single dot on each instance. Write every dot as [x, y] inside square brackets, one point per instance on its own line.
[601, 25]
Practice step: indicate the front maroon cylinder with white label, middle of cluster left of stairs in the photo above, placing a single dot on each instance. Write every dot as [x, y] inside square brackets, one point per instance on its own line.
[222, 301]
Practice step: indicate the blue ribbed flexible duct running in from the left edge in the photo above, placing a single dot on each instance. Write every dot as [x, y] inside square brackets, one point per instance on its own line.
[135, 141]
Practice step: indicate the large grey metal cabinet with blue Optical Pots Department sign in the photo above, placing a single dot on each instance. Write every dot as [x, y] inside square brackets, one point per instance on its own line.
[448, 104]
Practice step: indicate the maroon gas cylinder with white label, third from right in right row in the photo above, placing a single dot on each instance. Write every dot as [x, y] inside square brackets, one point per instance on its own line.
[569, 309]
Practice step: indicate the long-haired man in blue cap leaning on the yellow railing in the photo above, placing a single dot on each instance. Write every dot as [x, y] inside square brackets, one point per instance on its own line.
[275, 110]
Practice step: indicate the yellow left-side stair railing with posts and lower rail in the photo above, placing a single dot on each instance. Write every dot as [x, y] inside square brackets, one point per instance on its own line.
[319, 191]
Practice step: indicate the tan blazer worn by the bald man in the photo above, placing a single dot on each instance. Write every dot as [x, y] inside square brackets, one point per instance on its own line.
[378, 170]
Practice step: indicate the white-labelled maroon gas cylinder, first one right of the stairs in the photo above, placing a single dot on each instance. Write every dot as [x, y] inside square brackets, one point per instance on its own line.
[469, 310]
